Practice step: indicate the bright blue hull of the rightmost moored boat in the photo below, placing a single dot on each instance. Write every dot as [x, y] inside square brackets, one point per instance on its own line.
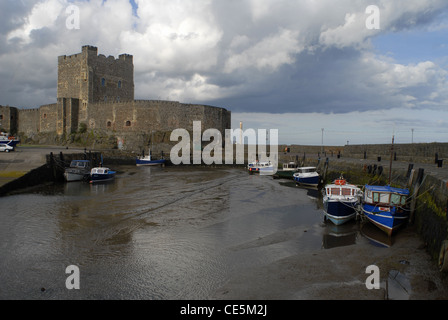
[387, 221]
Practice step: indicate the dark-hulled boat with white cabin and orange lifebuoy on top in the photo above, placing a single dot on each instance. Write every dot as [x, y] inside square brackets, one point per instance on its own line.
[341, 201]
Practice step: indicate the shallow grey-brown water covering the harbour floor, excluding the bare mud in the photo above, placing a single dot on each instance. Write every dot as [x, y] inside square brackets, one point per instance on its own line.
[157, 233]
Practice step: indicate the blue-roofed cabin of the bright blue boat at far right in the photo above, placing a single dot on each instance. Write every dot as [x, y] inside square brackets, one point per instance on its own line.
[386, 196]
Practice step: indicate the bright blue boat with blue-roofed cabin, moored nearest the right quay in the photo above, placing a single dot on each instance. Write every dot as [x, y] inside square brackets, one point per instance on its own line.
[386, 207]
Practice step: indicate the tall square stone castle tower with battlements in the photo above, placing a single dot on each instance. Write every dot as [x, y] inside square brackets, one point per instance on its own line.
[86, 78]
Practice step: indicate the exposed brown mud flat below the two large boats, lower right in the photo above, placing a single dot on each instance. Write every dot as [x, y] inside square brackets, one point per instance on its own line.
[406, 272]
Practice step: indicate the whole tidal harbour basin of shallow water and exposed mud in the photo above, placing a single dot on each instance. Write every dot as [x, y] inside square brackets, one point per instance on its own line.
[201, 232]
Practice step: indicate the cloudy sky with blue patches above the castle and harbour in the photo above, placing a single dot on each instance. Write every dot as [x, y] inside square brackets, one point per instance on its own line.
[316, 70]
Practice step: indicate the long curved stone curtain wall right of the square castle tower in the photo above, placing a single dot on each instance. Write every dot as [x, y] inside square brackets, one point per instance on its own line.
[135, 123]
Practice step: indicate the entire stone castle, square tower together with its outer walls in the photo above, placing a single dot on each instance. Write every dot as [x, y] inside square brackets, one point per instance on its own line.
[95, 93]
